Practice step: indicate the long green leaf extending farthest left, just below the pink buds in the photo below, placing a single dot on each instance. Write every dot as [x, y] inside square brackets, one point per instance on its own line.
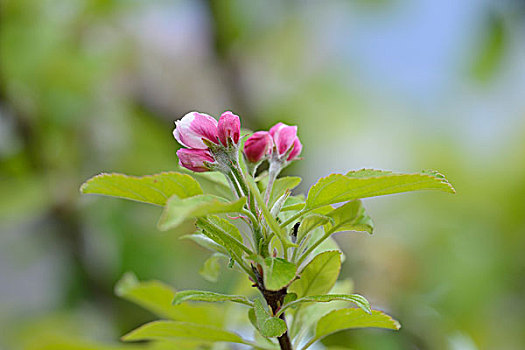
[154, 189]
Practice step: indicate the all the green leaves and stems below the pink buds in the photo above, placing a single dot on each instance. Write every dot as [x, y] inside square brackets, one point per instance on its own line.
[275, 274]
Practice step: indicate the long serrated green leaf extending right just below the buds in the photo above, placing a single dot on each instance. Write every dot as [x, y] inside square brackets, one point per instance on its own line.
[364, 183]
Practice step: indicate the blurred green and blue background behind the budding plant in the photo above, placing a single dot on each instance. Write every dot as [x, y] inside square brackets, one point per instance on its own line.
[94, 85]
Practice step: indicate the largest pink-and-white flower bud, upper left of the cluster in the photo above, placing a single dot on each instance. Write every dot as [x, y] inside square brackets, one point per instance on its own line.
[193, 127]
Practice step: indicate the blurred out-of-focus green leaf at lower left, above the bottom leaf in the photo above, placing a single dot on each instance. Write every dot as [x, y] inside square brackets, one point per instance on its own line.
[156, 297]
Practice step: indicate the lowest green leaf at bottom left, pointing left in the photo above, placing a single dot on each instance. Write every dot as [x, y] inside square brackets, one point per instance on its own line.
[167, 330]
